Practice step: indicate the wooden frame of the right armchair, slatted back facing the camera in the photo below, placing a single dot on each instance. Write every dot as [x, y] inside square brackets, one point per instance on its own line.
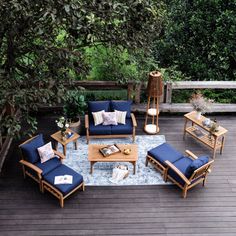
[198, 176]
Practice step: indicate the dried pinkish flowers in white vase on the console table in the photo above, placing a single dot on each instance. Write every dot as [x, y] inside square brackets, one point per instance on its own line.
[200, 104]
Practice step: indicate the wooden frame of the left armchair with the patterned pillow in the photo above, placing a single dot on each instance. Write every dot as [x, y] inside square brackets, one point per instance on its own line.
[25, 164]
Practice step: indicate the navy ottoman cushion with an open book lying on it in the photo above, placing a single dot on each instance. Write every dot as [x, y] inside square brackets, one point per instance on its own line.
[64, 170]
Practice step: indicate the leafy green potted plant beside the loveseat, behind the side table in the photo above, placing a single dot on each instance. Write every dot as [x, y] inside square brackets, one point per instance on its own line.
[74, 107]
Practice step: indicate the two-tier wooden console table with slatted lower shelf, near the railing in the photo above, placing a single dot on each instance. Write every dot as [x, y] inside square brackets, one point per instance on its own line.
[213, 140]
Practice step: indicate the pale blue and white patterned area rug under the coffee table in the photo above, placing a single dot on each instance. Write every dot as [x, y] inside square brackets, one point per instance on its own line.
[102, 173]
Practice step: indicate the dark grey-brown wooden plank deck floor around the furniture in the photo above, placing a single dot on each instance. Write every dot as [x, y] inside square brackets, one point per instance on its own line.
[132, 210]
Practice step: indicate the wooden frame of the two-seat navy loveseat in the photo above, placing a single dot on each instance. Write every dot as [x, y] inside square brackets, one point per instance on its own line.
[88, 136]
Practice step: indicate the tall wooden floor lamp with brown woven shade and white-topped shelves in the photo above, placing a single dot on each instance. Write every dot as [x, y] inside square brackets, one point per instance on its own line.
[155, 91]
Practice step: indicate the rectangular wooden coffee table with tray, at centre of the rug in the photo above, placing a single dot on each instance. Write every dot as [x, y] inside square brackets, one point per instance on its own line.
[94, 155]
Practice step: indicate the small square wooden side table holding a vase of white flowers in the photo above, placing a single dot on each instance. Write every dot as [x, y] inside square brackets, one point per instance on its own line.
[57, 137]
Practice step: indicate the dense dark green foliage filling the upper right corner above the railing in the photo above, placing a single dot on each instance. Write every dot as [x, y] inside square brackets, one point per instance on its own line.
[199, 38]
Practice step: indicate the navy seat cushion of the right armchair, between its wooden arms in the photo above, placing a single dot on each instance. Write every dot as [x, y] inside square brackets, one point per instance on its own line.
[181, 164]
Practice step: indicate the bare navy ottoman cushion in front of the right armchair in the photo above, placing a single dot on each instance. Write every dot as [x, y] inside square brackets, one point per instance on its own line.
[165, 152]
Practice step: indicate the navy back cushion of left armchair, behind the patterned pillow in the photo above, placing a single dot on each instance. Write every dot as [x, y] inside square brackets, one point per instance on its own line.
[30, 151]
